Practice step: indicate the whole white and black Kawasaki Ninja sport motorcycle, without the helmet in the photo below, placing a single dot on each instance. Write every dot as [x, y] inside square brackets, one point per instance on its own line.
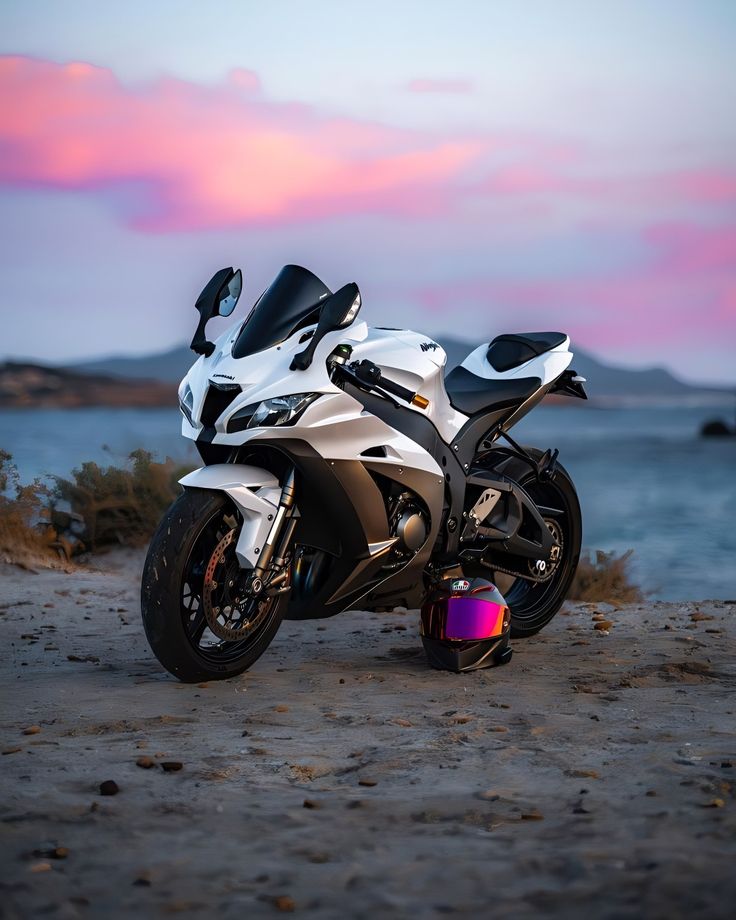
[344, 470]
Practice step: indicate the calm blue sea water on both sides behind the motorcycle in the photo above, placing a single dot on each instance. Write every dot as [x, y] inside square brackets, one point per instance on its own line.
[646, 480]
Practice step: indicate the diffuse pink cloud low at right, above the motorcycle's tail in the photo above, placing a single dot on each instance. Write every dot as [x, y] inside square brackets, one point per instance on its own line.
[687, 291]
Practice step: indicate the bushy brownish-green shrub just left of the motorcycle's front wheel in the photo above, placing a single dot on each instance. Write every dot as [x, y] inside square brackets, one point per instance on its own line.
[121, 505]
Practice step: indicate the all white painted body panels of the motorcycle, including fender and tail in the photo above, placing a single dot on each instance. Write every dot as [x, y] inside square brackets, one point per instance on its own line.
[336, 425]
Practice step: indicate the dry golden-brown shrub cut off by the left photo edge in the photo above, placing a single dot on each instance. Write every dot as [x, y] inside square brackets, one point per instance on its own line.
[22, 541]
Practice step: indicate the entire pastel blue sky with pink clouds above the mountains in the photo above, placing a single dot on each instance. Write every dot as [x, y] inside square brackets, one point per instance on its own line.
[476, 167]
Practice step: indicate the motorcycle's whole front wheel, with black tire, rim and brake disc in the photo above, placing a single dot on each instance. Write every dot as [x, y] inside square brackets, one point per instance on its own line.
[199, 622]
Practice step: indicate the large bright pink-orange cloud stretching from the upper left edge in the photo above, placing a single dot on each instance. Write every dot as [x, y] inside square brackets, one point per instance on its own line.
[214, 156]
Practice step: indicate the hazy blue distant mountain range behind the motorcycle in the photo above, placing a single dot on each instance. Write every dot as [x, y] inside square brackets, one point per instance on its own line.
[604, 380]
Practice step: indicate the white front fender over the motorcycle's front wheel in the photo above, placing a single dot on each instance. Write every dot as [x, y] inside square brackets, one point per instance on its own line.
[255, 493]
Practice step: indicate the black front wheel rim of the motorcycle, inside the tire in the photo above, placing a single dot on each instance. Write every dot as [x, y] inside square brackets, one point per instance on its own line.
[203, 641]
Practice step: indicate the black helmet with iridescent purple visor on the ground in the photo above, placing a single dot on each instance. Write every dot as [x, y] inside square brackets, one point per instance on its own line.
[466, 625]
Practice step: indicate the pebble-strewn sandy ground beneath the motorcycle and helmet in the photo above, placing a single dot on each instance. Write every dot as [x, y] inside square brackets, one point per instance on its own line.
[594, 776]
